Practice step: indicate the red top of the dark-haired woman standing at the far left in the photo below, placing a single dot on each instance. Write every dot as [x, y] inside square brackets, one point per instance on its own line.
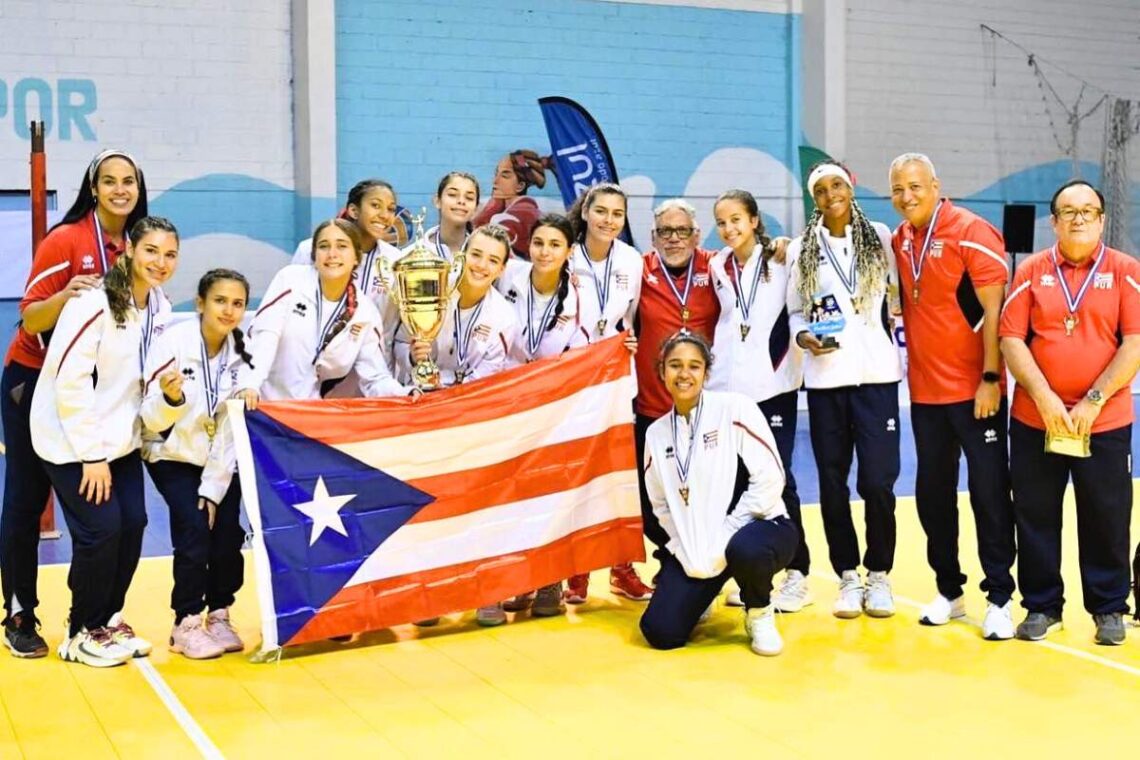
[68, 251]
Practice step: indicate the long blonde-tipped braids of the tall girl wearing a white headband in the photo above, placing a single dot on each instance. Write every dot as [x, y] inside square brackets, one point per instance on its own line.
[872, 267]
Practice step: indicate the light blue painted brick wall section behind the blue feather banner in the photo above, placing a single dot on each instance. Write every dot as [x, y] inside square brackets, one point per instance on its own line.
[427, 88]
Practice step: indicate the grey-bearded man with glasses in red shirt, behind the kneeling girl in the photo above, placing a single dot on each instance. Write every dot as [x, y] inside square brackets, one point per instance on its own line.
[677, 293]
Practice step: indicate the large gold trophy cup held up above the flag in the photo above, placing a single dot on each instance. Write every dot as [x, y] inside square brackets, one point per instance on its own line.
[419, 285]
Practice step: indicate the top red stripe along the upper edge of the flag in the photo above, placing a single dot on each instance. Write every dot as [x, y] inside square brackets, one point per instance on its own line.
[478, 402]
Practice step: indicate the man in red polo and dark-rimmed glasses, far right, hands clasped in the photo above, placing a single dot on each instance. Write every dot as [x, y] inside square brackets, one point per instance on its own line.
[1071, 333]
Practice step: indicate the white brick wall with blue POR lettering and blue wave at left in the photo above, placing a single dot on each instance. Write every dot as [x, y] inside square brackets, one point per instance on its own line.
[198, 91]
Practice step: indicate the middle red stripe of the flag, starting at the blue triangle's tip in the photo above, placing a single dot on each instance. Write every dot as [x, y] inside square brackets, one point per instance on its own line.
[538, 473]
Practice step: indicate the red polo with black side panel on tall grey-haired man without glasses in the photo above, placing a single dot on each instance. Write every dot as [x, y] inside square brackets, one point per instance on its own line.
[944, 349]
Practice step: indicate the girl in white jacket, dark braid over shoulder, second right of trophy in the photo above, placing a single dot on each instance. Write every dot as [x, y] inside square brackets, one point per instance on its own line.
[547, 306]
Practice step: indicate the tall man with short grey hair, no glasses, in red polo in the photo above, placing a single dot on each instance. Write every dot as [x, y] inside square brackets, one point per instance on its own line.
[952, 268]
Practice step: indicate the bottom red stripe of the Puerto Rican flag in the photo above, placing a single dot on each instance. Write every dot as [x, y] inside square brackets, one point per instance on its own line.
[471, 585]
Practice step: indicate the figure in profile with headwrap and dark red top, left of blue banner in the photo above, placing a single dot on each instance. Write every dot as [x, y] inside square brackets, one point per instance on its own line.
[509, 206]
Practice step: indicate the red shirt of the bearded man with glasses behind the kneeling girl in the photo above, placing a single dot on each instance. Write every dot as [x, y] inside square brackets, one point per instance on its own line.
[659, 318]
